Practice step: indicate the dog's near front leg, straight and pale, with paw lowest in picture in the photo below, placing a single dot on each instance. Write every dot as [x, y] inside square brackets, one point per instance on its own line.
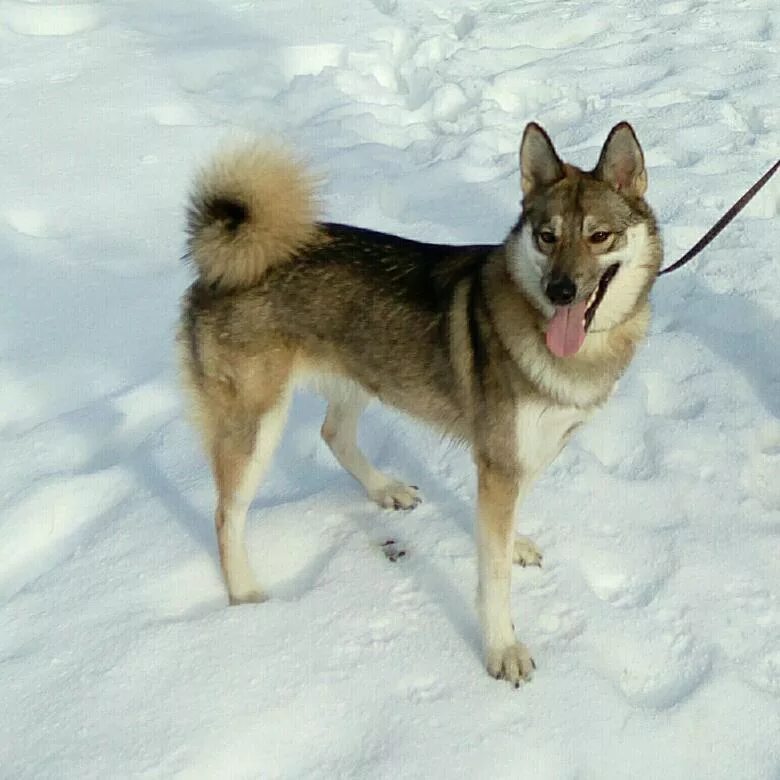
[506, 658]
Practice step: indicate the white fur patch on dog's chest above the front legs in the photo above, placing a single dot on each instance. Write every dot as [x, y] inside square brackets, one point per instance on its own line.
[541, 431]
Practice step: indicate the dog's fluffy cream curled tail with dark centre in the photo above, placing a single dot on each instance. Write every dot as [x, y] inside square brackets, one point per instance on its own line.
[251, 208]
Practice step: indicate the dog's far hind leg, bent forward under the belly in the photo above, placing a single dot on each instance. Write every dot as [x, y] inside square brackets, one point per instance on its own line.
[345, 405]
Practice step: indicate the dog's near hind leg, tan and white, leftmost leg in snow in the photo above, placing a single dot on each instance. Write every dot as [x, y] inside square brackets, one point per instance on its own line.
[242, 447]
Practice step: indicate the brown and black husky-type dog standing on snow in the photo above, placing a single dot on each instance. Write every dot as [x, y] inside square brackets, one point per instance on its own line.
[508, 348]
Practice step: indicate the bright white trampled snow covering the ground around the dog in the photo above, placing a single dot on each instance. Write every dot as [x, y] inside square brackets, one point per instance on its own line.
[655, 622]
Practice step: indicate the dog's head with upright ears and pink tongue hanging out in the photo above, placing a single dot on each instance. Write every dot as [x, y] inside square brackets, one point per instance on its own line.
[586, 250]
